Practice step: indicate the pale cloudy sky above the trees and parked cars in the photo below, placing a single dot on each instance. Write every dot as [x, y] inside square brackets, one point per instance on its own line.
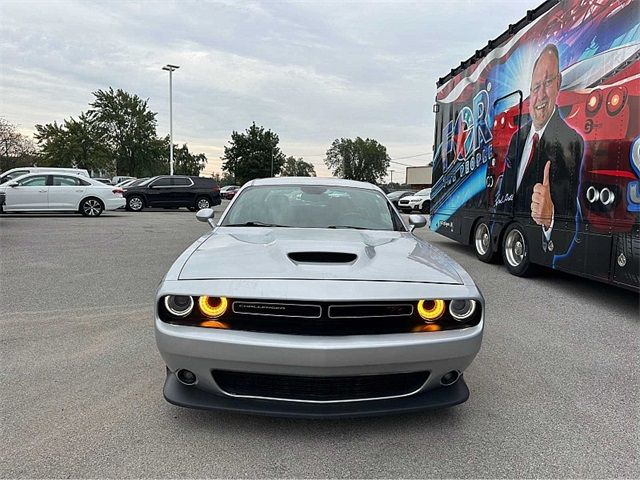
[311, 71]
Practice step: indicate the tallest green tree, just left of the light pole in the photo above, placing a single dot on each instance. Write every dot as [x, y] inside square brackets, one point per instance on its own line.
[129, 132]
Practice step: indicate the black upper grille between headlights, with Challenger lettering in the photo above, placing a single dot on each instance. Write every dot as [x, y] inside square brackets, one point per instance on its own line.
[323, 318]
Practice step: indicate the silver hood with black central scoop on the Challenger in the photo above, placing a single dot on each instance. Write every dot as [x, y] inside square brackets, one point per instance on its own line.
[305, 253]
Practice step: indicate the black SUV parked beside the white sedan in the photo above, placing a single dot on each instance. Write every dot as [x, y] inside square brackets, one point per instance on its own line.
[173, 191]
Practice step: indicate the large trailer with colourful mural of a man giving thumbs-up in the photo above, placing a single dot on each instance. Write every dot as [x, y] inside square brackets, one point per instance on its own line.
[537, 144]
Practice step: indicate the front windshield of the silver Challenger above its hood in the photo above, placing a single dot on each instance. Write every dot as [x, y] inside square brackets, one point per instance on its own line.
[311, 206]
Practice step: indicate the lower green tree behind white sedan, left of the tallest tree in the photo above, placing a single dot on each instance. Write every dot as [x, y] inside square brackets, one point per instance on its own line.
[75, 143]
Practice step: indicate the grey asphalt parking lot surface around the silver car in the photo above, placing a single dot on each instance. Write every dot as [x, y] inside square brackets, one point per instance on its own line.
[554, 390]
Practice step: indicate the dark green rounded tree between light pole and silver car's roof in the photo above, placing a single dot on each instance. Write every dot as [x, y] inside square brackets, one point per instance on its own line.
[250, 154]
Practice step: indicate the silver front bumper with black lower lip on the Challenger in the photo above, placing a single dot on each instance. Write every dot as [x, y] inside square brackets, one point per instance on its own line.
[201, 351]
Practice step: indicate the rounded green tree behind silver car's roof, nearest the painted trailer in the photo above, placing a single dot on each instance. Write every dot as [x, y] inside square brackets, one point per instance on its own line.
[364, 160]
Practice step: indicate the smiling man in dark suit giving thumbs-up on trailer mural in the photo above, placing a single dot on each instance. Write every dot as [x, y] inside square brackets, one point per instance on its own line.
[543, 162]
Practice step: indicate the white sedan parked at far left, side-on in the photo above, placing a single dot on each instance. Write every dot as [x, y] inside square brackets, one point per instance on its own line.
[55, 192]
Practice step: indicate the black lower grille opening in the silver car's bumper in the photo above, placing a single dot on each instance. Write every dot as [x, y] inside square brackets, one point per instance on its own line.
[319, 389]
